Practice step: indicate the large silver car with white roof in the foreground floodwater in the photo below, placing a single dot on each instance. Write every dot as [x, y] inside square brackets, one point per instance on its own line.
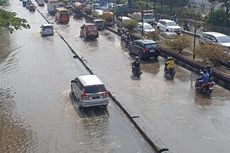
[89, 91]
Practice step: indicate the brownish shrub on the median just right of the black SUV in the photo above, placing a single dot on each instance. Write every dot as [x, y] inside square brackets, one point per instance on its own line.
[179, 43]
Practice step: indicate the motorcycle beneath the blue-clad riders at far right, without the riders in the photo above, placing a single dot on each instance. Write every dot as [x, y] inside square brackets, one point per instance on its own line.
[205, 88]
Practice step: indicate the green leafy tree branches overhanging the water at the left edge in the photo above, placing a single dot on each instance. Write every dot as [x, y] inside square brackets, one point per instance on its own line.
[9, 21]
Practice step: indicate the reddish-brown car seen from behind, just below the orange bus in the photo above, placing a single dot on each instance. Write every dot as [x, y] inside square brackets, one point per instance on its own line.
[88, 31]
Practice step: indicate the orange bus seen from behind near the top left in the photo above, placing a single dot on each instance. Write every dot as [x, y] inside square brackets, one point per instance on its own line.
[62, 15]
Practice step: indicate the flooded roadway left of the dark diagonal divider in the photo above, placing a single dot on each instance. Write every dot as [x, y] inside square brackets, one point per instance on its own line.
[37, 113]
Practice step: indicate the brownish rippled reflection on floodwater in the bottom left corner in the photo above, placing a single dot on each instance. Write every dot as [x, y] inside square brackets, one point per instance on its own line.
[15, 135]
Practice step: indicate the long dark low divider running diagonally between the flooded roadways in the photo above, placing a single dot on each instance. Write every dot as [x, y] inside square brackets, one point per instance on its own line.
[131, 118]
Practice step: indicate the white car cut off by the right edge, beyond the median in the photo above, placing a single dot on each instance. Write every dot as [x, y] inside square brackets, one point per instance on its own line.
[215, 38]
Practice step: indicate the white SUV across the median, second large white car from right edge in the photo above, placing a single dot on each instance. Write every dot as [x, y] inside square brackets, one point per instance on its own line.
[166, 25]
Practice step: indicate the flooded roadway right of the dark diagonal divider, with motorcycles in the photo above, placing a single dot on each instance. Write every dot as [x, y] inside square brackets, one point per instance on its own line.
[169, 111]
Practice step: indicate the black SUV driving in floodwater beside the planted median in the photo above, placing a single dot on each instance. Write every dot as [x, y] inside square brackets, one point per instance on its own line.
[144, 48]
